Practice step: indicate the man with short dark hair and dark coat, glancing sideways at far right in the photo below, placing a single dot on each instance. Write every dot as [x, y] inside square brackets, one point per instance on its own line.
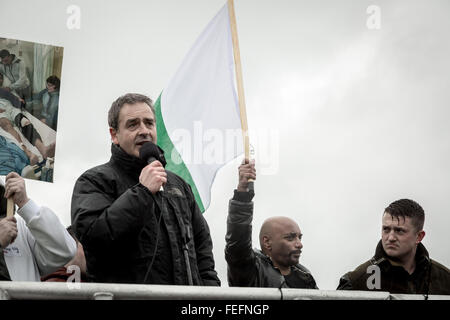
[404, 264]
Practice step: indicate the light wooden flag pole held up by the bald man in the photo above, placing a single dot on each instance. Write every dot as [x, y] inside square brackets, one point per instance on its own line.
[240, 83]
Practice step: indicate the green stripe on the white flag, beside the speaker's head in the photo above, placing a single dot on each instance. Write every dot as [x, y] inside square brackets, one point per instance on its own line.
[171, 152]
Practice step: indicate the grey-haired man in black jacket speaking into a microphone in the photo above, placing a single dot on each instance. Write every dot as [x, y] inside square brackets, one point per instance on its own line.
[137, 222]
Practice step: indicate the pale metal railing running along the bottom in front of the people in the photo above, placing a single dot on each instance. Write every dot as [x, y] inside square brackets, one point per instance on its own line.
[111, 291]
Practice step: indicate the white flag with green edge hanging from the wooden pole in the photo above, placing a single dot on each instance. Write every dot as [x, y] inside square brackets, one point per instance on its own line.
[198, 119]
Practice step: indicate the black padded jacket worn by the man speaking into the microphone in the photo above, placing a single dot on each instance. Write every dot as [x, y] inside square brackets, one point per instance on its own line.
[118, 222]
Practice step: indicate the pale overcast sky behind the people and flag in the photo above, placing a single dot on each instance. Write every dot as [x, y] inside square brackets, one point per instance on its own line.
[345, 119]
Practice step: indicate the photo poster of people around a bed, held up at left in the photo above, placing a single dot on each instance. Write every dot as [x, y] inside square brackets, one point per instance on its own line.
[30, 81]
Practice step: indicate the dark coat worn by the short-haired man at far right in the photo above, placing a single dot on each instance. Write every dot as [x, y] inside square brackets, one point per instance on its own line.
[429, 277]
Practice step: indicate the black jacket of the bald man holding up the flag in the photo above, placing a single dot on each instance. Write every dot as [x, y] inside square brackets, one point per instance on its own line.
[249, 267]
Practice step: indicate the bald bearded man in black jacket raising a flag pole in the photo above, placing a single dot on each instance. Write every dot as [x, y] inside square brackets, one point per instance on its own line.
[276, 264]
